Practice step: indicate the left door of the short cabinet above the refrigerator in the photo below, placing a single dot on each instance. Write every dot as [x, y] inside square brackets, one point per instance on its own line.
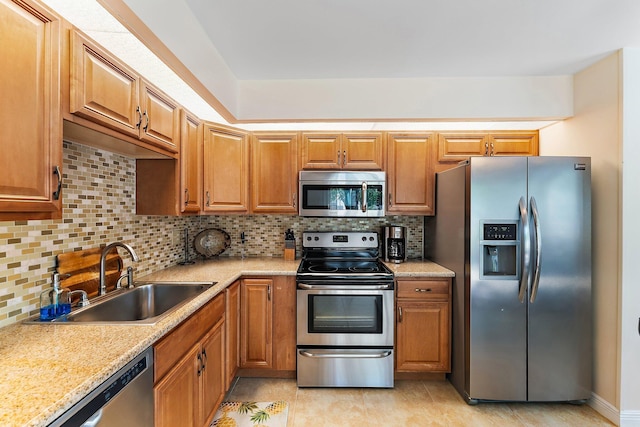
[458, 146]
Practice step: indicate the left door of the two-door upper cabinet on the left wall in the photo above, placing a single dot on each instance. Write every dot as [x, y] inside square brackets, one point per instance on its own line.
[103, 90]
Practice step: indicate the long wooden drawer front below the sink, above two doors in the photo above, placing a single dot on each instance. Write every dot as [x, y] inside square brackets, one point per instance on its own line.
[184, 336]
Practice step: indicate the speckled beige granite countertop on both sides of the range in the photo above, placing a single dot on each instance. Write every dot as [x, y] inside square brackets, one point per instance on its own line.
[45, 369]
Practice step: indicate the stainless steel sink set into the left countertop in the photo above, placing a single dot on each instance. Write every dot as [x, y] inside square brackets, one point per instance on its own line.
[146, 303]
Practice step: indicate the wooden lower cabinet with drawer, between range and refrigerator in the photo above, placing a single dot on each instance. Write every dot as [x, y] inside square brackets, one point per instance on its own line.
[423, 325]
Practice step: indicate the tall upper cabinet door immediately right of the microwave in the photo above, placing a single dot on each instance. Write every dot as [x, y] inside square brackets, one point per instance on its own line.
[410, 177]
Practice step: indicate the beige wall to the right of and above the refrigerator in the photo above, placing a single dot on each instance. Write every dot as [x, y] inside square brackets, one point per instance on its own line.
[595, 131]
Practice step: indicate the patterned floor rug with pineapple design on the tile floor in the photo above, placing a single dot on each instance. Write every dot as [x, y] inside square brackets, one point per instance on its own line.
[251, 414]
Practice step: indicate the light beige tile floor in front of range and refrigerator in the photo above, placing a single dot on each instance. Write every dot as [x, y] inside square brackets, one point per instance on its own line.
[410, 403]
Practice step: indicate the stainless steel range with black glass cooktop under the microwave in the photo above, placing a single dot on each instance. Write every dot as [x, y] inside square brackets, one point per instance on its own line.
[345, 312]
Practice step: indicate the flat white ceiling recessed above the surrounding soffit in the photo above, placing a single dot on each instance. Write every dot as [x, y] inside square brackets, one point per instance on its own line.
[327, 39]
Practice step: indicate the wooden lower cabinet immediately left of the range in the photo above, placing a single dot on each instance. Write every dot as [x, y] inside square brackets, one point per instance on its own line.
[268, 324]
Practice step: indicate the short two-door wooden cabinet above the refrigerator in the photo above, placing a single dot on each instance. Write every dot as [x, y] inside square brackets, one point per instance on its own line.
[458, 146]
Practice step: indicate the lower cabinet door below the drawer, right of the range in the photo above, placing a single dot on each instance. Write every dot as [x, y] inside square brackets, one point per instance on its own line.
[422, 336]
